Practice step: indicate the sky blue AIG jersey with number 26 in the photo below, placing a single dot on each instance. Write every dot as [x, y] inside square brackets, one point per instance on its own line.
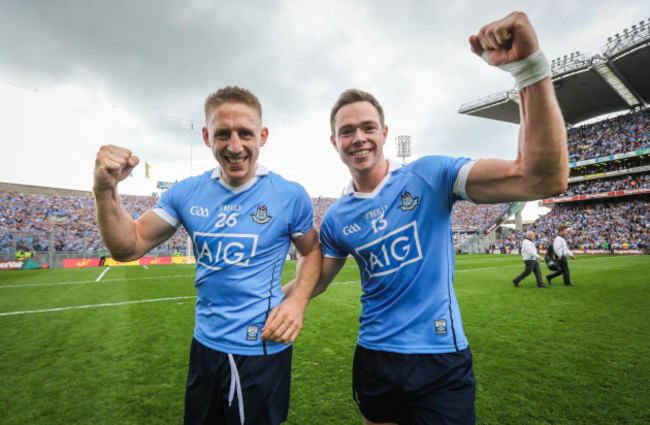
[240, 238]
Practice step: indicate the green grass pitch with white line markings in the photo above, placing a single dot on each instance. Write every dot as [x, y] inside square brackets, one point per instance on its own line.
[74, 350]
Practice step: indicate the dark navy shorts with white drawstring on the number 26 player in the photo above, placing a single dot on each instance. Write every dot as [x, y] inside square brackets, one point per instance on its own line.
[213, 395]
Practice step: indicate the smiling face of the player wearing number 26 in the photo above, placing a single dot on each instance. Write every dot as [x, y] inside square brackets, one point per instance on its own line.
[235, 135]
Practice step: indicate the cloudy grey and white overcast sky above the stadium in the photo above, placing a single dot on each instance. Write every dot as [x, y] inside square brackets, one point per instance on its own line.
[75, 75]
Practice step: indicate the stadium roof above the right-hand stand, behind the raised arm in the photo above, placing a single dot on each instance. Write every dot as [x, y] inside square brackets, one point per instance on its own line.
[588, 86]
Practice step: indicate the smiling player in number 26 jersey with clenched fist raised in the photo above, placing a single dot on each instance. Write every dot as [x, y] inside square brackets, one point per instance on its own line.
[242, 218]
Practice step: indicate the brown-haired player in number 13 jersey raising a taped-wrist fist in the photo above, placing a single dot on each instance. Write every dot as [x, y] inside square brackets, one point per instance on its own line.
[413, 364]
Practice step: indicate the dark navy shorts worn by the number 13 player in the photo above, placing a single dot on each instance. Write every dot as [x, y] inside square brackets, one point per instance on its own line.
[415, 389]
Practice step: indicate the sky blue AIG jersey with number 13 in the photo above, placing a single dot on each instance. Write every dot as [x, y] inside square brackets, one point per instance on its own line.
[400, 235]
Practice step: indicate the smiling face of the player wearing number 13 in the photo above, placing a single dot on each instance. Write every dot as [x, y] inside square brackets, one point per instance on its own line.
[359, 139]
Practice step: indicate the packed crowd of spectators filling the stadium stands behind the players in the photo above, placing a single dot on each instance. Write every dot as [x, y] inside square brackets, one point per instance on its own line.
[68, 223]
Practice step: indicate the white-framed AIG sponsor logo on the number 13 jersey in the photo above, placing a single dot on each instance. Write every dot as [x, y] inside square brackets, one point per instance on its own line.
[391, 252]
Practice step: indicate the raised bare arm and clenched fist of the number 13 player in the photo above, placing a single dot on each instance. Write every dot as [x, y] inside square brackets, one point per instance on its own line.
[541, 167]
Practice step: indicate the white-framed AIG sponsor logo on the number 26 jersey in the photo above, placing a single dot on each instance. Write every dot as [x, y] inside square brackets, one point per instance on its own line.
[219, 250]
